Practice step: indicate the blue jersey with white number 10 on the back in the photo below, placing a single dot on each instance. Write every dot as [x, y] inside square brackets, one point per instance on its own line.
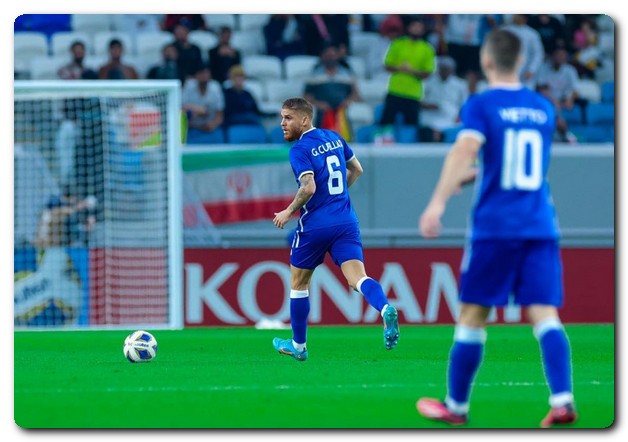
[512, 197]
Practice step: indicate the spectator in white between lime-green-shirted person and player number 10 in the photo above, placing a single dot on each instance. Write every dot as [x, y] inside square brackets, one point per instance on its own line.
[444, 95]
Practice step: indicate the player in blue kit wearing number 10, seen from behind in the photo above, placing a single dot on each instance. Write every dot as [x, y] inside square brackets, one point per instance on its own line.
[513, 242]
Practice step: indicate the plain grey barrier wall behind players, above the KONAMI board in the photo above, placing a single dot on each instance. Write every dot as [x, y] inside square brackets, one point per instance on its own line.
[398, 182]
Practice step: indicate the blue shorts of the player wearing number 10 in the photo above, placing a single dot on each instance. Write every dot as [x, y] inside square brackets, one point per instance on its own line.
[531, 270]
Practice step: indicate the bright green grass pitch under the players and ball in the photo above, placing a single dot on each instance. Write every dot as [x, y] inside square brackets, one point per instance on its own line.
[233, 378]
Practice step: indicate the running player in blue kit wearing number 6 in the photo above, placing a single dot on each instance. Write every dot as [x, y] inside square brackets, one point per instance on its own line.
[324, 167]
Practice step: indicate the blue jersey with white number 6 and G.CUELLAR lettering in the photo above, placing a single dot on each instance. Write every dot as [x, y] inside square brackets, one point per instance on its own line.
[325, 154]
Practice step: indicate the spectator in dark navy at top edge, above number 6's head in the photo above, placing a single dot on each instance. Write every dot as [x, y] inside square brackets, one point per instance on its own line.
[282, 36]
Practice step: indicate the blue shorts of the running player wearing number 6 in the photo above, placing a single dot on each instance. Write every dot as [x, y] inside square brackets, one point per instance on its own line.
[343, 243]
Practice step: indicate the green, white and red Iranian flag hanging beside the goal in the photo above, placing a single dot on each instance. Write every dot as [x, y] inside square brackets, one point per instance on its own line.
[241, 185]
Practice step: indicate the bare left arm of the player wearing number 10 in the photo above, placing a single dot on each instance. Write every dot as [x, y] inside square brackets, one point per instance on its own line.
[458, 170]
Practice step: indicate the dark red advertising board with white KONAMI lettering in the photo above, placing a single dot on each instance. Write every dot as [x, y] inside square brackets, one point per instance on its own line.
[227, 287]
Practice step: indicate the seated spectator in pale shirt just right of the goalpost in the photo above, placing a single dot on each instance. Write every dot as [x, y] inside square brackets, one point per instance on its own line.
[204, 103]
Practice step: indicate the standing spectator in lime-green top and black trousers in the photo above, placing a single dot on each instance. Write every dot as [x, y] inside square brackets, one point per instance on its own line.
[410, 59]
